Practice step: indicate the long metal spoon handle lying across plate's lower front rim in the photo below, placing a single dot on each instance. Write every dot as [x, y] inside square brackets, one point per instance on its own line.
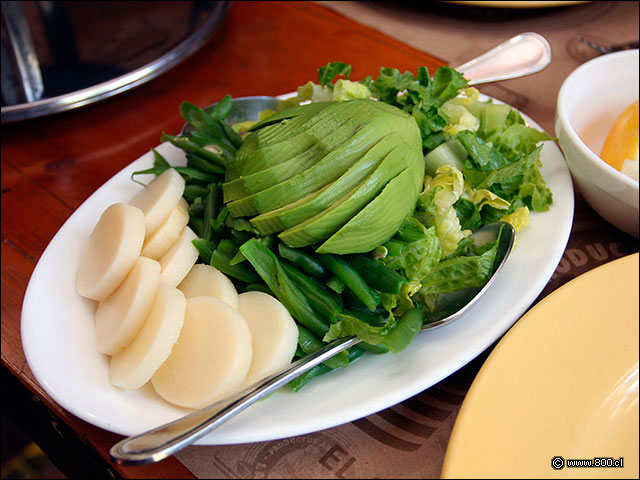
[161, 442]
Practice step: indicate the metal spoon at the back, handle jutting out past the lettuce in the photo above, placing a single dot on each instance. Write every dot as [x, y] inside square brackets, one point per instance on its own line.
[519, 56]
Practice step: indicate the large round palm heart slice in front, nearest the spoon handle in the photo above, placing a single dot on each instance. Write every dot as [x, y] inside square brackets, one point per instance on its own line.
[211, 358]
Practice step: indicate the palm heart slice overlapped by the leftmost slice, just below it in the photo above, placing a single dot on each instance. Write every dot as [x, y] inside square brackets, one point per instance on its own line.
[120, 316]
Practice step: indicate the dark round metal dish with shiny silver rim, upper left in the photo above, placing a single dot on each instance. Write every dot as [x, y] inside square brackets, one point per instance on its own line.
[57, 56]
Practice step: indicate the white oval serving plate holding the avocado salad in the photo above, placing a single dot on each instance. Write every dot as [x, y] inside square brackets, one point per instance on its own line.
[58, 331]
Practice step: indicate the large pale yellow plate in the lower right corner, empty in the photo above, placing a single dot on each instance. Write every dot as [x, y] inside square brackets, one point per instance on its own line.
[563, 382]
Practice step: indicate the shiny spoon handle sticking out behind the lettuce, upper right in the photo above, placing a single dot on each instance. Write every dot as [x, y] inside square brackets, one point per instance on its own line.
[519, 56]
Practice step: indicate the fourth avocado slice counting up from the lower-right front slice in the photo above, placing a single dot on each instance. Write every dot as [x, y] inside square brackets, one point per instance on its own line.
[323, 172]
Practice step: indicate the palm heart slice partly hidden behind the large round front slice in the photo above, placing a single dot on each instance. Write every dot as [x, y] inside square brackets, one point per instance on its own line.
[205, 280]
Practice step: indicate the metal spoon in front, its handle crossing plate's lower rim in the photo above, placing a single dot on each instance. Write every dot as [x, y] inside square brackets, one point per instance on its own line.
[161, 442]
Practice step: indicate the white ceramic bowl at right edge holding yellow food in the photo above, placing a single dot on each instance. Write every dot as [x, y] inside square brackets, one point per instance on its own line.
[589, 101]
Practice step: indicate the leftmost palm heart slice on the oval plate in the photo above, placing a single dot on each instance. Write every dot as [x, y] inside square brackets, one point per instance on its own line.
[112, 249]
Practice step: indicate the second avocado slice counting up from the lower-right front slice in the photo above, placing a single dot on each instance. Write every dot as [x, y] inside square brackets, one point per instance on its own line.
[329, 221]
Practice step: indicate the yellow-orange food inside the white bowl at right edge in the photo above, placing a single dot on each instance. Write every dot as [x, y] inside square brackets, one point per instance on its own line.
[621, 146]
